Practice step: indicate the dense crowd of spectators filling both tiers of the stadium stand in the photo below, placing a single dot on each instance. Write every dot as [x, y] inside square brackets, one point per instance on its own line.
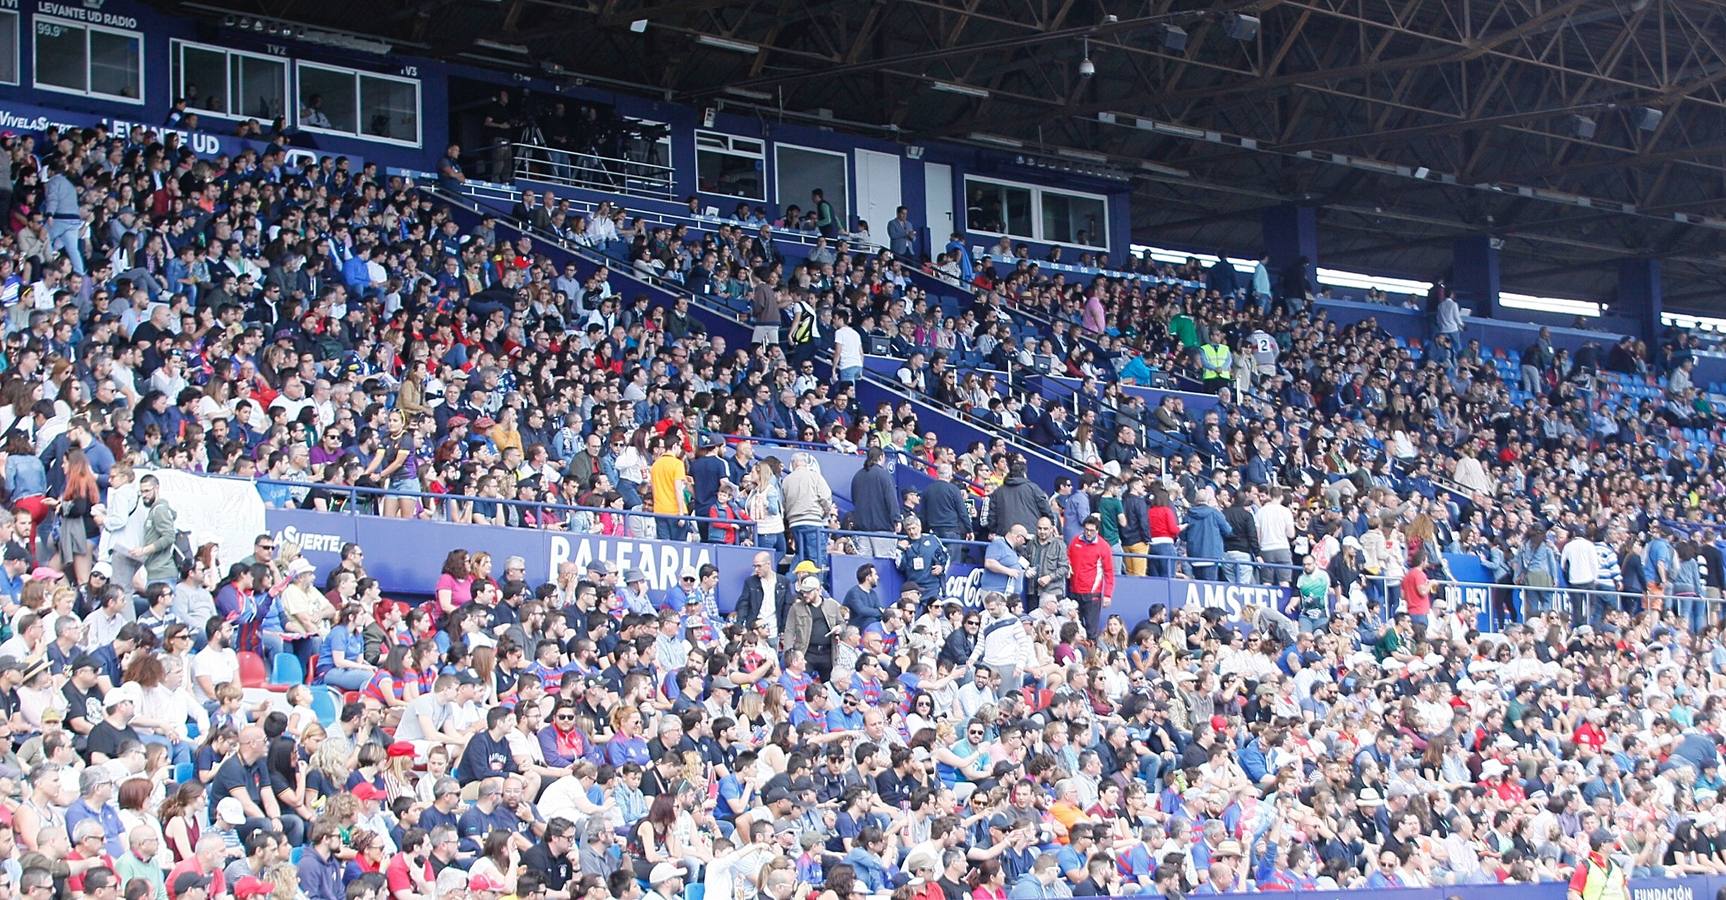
[327, 329]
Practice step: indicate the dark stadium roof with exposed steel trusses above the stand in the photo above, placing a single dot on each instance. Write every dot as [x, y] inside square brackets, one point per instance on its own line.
[1580, 132]
